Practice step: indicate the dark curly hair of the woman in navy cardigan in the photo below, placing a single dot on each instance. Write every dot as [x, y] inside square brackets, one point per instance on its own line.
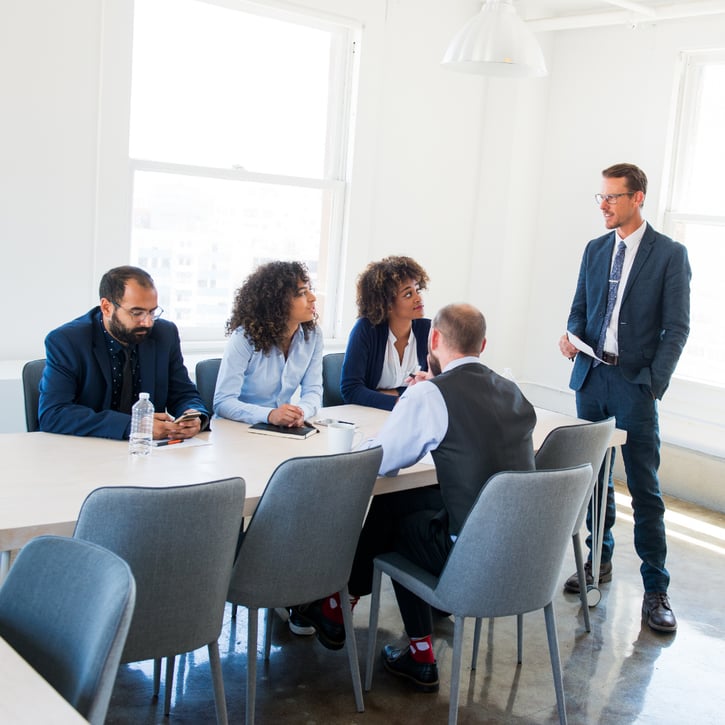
[379, 282]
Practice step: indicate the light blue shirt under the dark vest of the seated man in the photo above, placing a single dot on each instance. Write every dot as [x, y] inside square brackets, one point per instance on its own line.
[416, 425]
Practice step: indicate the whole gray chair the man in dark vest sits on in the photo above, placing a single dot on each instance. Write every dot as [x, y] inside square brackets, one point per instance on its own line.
[506, 561]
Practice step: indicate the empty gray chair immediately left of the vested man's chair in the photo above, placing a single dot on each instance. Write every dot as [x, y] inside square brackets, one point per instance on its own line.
[300, 544]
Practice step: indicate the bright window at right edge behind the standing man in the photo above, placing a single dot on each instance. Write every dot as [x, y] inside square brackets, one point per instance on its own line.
[696, 210]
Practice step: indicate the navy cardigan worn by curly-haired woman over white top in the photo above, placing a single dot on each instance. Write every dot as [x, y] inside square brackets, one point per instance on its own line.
[364, 359]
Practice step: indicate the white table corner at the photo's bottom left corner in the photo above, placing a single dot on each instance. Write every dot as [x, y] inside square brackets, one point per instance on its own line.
[26, 698]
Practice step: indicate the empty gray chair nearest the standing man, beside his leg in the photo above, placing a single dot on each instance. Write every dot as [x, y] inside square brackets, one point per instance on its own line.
[572, 445]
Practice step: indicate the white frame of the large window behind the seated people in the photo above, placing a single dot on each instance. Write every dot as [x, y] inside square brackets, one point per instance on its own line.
[116, 168]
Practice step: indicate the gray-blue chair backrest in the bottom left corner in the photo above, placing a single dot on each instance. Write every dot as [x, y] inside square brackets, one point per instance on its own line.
[66, 607]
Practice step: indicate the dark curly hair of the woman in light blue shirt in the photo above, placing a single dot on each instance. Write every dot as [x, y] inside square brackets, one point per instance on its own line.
[262, 304]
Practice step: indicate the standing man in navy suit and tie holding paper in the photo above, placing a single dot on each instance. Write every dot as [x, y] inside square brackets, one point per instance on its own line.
[632, 306]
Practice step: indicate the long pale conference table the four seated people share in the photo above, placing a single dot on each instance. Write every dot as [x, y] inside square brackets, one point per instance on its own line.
[46, 477]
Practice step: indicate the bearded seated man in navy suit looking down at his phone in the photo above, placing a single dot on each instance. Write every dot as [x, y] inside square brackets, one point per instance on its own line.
[97, 364]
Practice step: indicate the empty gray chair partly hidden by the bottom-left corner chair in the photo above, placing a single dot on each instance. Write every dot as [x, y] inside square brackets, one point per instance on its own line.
[179, 542]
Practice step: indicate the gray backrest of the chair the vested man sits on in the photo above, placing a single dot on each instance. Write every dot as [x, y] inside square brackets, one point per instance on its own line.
[508, 556]
